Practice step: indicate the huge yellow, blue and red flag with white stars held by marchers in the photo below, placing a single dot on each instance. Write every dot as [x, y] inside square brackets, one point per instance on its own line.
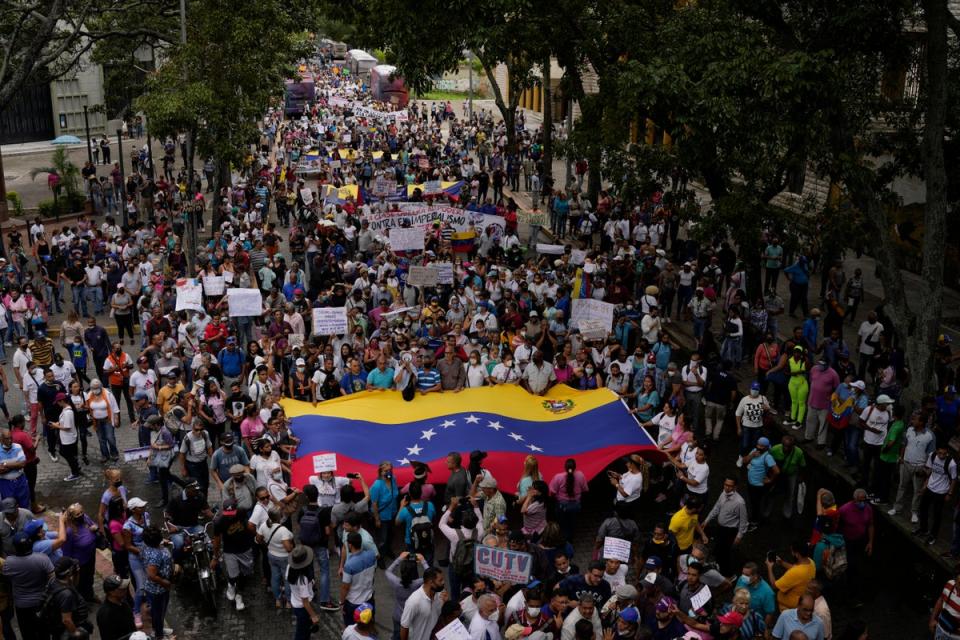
[363, 429]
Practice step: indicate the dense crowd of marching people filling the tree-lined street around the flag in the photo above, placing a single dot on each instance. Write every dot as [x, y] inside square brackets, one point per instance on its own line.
[203, 390]
